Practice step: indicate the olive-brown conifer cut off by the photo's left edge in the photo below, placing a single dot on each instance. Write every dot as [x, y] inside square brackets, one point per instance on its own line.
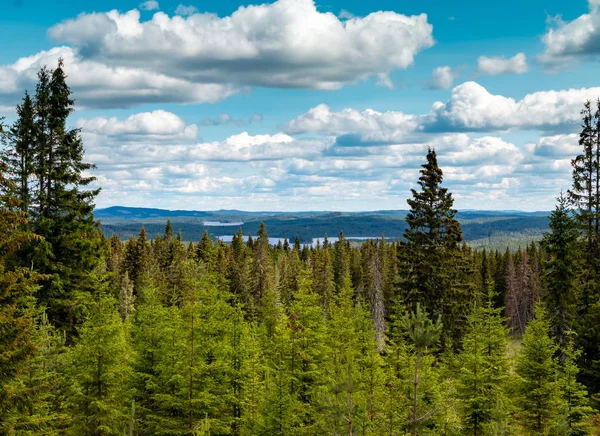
[18, 335]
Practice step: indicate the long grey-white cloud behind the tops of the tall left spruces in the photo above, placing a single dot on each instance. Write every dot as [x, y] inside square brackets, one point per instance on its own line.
[98, 85]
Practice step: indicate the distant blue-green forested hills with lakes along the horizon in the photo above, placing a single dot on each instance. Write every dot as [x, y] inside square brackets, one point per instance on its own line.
[493, 229]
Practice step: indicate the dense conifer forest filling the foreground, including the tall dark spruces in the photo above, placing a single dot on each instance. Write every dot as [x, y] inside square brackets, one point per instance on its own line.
[152, 336]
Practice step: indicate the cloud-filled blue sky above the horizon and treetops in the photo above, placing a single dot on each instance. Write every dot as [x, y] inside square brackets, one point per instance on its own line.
[301, 105]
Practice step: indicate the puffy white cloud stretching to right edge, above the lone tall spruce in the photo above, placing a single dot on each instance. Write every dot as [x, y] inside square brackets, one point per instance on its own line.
[471, 107]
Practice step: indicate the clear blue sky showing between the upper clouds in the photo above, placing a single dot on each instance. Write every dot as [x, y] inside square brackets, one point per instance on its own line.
[463, 30]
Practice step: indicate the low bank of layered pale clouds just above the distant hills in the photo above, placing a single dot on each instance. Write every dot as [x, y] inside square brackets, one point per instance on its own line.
[154, 156]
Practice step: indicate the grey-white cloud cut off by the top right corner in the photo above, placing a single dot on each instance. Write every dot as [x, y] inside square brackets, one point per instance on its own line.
[577, 39]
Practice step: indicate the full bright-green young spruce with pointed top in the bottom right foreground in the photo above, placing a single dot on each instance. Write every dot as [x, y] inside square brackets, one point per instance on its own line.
[538, 387]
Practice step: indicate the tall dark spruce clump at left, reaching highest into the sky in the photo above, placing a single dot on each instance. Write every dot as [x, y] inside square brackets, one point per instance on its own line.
[59, 206]
